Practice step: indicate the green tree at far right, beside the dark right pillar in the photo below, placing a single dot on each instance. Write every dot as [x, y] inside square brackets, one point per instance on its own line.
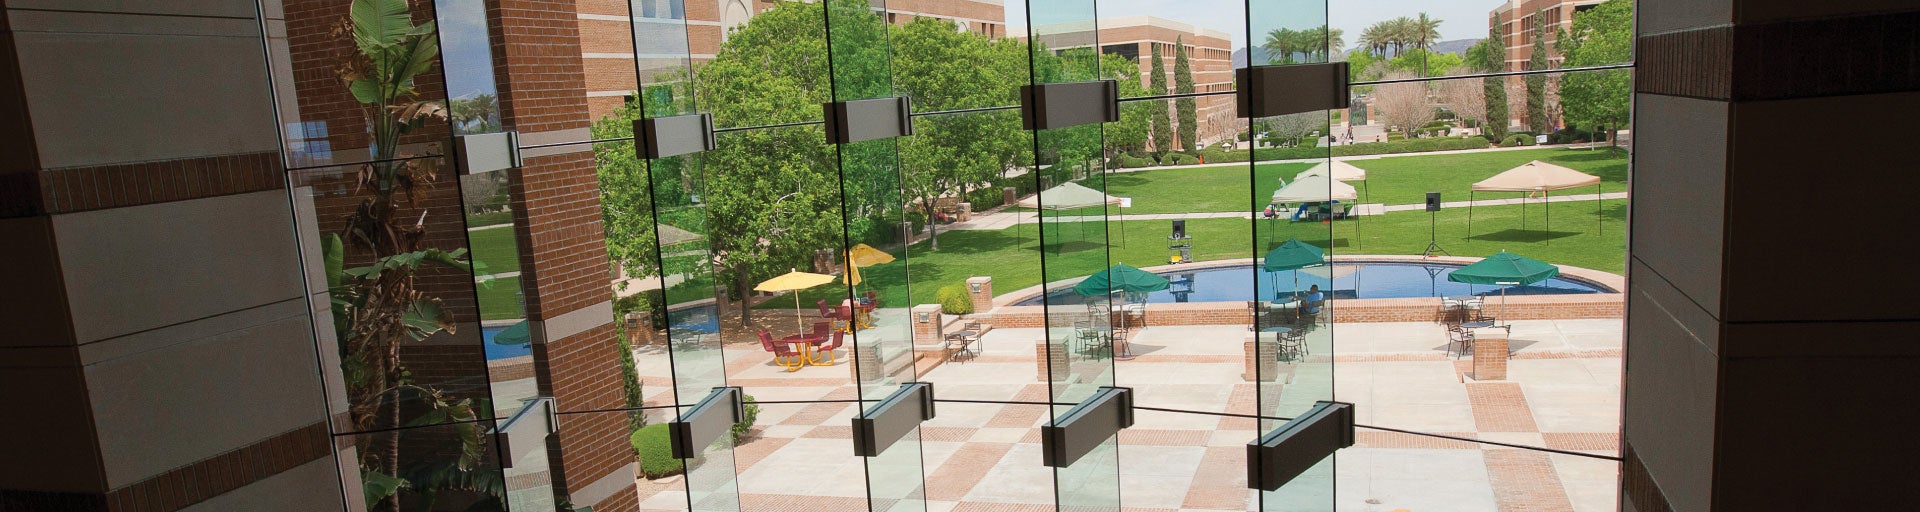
[1600, 35]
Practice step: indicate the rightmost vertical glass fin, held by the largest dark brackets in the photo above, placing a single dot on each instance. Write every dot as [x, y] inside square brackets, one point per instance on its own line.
[1303, 221]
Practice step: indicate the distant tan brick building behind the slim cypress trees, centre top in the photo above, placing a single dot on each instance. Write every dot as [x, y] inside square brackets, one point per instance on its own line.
[1211, 55]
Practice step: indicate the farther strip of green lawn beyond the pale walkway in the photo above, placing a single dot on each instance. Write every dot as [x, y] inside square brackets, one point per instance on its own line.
[1393, 181]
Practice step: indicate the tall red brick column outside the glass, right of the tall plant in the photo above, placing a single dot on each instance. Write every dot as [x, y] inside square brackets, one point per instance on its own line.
[564, 248]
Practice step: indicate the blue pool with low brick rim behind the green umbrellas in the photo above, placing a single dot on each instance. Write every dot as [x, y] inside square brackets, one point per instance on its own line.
[1343, 281]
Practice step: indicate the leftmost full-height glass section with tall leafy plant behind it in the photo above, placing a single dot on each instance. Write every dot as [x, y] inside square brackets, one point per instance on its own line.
[406, 298]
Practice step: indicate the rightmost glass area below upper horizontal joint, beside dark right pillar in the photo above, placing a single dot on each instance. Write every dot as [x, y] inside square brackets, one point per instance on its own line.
[1512, 360]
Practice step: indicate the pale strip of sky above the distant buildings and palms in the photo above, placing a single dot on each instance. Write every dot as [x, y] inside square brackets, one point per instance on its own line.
[1460, 18]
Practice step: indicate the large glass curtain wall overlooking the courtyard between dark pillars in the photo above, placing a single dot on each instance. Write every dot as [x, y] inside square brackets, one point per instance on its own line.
[1230, 271]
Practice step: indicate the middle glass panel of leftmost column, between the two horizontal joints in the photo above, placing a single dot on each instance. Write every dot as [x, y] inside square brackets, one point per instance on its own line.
[375, 356]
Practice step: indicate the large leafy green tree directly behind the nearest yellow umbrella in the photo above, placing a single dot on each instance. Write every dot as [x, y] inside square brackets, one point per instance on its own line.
[777, 191]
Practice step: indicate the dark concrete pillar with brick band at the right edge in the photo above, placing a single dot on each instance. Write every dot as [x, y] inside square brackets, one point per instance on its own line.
[1746, 390]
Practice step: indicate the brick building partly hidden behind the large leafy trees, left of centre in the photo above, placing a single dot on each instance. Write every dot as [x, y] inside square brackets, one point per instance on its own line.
[610, 32]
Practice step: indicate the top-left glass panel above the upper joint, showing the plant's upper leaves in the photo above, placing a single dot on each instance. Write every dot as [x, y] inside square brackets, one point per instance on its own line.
[324, 122]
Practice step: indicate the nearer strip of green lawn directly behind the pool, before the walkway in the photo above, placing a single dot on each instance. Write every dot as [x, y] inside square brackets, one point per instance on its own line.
[1007, 256]
